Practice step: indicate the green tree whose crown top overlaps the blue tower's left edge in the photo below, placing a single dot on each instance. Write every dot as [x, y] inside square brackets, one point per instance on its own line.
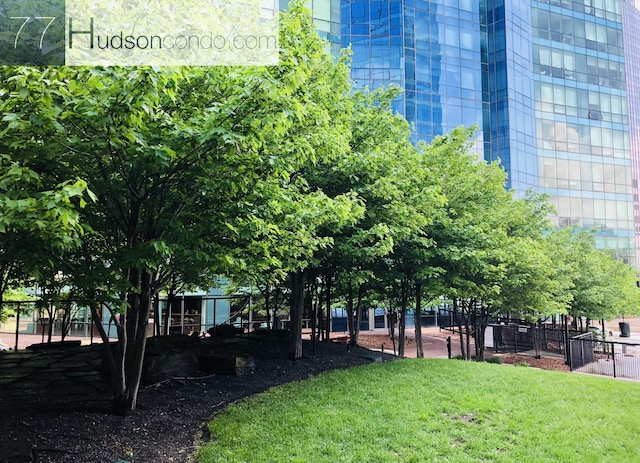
[384, 170]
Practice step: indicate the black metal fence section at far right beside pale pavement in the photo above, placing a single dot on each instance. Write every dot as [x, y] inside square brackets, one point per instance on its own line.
[595, 356]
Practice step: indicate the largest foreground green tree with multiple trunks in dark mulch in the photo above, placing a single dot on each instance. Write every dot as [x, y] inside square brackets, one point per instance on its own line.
[193, 169]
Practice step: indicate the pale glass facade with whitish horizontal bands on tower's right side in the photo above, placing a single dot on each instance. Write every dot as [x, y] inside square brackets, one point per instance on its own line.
[582, 130]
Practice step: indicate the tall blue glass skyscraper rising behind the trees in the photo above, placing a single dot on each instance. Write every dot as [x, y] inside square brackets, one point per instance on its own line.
[553, 86]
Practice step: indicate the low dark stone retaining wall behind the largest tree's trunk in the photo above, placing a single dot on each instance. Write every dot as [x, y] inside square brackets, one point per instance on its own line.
[68, 369]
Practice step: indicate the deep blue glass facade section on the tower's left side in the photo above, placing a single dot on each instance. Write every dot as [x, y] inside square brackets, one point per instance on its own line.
[431, 49]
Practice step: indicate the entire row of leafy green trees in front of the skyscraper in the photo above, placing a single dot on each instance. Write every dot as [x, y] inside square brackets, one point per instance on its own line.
[132, 181]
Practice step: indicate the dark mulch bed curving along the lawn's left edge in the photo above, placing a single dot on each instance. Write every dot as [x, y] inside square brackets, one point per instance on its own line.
[170, 421]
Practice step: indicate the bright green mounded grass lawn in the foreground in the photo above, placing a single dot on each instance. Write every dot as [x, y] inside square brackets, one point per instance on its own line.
[434, 411]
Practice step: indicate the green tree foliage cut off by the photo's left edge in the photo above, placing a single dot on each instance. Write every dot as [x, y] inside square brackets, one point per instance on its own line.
[40, 212]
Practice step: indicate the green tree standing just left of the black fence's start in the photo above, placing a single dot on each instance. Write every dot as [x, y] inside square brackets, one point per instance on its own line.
[469, 233]
